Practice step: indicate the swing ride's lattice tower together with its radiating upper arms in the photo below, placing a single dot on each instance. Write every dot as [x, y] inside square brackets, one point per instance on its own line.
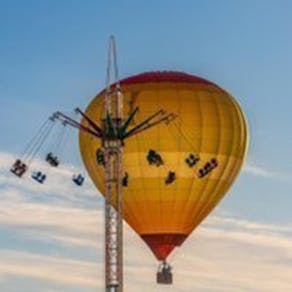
[113, 132]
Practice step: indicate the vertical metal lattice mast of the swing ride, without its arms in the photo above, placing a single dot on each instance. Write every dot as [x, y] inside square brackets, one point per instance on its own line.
[113, 146]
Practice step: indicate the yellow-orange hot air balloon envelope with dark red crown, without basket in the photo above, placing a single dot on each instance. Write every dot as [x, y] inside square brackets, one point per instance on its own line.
[177, 172]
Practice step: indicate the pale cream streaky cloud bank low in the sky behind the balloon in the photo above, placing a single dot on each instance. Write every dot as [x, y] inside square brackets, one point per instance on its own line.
[65, 225]
